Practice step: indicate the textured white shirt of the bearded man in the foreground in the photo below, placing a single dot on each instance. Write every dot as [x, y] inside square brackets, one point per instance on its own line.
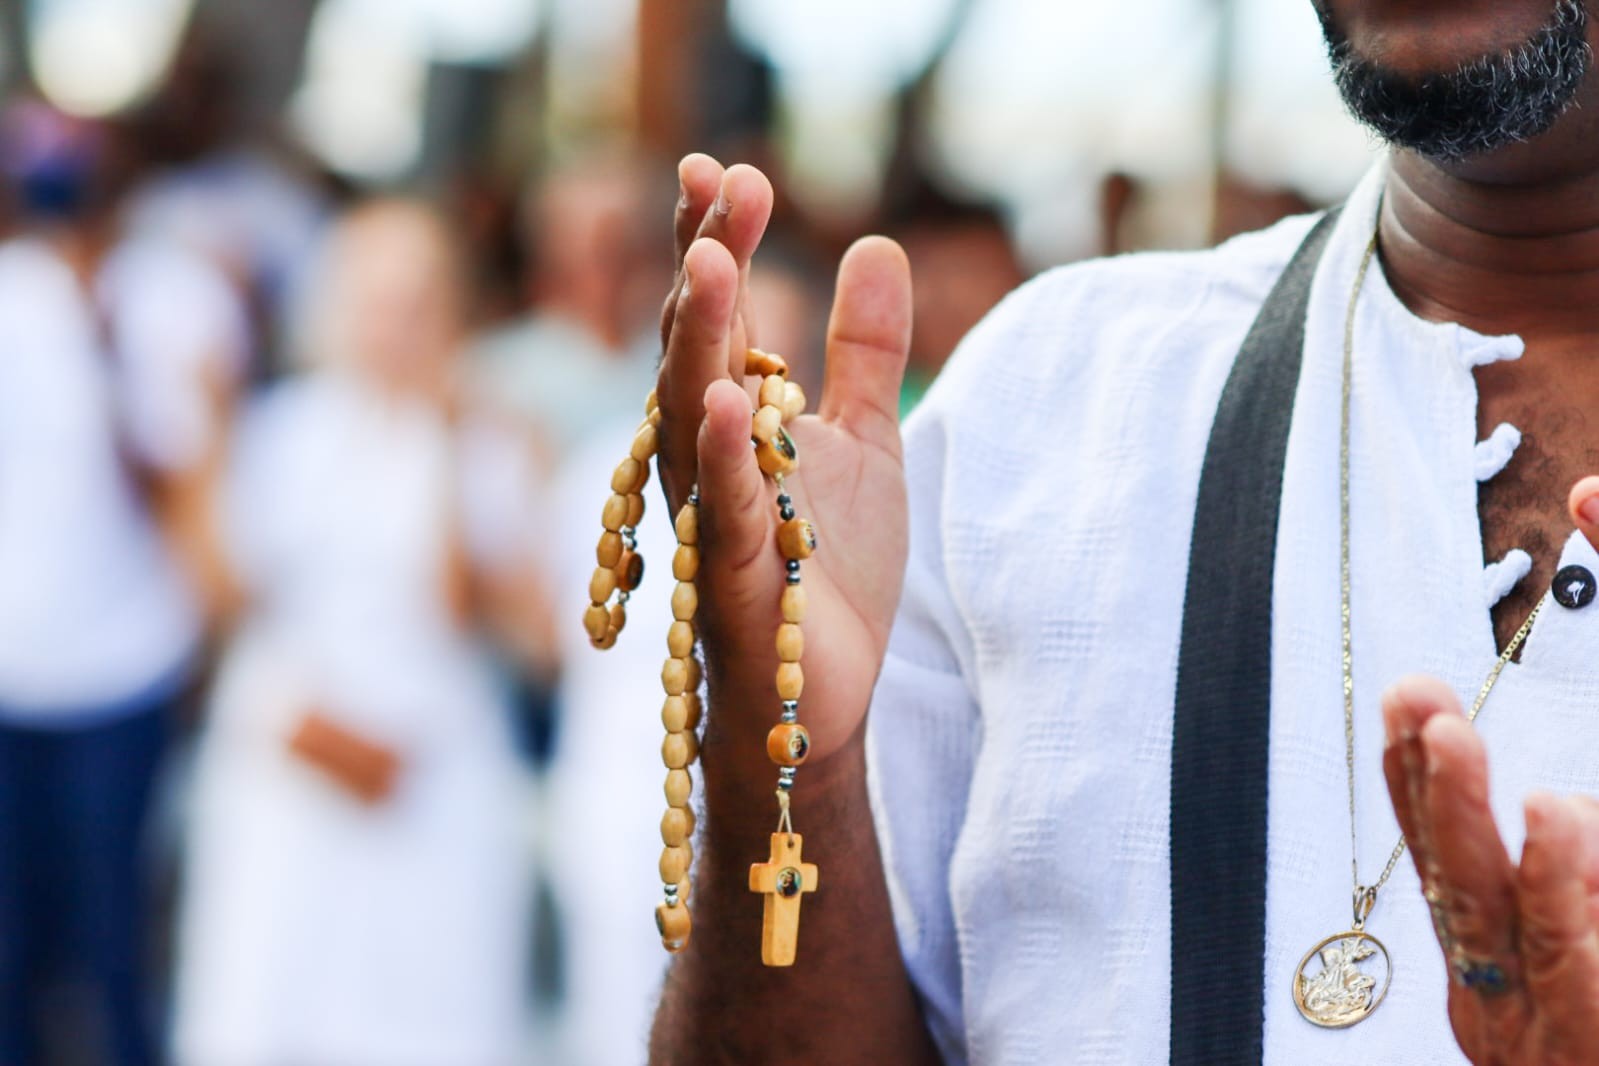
[1021, 734]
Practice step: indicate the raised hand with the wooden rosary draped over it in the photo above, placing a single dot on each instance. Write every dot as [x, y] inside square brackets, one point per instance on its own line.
[851, 479]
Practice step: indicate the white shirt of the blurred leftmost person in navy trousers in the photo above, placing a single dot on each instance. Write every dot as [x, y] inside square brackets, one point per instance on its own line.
[92, 607]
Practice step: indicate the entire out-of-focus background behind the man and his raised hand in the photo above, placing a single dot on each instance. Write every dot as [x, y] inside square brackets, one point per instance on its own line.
[322, 325]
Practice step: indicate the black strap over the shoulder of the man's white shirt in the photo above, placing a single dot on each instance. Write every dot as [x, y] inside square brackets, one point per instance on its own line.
[1224, 691]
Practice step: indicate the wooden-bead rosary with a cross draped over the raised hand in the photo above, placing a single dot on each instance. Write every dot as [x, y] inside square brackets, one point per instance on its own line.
[784, 878]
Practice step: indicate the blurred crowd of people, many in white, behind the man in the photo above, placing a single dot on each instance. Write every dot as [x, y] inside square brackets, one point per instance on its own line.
[305, 755]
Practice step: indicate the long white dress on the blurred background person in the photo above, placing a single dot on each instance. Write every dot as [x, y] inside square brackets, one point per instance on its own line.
[317, 929]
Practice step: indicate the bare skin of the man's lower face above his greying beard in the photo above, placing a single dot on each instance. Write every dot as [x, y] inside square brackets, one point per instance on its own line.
[1427, 38]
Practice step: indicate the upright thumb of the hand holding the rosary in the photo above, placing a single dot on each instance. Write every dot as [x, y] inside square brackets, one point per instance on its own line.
[869, 341]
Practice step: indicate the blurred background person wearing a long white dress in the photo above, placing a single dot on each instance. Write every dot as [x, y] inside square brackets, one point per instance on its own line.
[357, 885]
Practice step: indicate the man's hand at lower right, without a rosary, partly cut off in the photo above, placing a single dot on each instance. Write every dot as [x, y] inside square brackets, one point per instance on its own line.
[1521, 941]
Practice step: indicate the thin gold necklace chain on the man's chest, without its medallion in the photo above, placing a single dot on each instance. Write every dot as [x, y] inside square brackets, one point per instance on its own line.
[1366, 896]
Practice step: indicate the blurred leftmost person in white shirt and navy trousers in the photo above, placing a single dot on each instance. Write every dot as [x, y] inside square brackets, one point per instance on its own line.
[116, 359]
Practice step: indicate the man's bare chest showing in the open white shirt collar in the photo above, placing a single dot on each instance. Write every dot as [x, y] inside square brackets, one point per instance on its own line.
[1525, 506]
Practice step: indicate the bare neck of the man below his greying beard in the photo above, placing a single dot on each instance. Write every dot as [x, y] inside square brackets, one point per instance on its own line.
[1504, 244]
